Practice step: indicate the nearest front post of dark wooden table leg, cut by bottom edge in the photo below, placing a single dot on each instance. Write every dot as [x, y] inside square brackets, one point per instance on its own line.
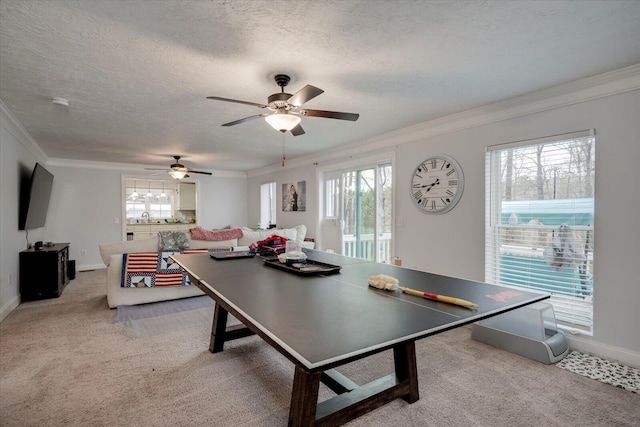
[304, 398]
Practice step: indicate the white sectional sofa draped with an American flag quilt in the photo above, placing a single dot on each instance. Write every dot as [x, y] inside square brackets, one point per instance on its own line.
[112, 257]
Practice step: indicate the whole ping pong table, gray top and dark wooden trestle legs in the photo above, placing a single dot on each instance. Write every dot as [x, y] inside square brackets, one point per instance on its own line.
[320, 322]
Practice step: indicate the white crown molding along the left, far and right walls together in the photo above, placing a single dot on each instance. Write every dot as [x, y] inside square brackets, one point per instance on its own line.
[587, 89]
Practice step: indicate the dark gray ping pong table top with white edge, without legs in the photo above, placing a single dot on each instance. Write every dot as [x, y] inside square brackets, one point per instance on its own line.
[323, 321]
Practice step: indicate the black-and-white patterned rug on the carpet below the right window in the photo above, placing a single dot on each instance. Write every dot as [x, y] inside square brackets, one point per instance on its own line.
[602, 370]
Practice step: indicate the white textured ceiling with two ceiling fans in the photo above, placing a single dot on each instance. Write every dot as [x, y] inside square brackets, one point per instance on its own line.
[136, 73]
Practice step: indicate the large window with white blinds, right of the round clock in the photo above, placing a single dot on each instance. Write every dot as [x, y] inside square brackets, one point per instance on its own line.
[539, 231]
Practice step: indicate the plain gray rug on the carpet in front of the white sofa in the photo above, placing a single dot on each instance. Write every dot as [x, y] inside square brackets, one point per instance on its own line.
[167, 316]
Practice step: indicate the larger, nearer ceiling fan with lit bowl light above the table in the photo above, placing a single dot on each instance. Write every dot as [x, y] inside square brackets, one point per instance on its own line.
[286, 112]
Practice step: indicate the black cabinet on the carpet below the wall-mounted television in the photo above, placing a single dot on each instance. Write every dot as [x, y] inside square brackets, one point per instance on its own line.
[44, 272]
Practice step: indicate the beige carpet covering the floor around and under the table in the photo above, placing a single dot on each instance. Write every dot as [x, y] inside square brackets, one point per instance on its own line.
[64, 362]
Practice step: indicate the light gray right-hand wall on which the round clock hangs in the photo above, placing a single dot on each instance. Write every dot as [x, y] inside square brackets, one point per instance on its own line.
[453, 243]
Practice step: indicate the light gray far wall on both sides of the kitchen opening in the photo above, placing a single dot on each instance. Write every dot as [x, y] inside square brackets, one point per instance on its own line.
[86, 208]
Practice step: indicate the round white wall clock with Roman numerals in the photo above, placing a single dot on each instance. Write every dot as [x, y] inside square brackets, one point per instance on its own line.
[436, 184]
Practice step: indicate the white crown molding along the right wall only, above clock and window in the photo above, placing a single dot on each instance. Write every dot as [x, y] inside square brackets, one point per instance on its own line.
[583, 90]
